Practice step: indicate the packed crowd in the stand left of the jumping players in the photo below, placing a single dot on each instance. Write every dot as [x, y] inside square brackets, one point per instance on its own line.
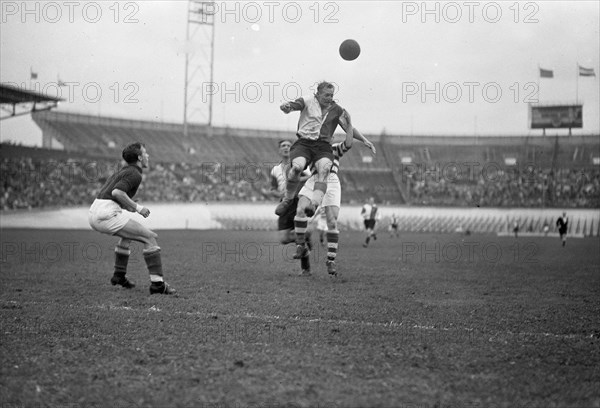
[35, 183]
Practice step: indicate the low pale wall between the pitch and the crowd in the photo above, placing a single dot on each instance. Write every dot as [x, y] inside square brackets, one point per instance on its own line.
[240, 216]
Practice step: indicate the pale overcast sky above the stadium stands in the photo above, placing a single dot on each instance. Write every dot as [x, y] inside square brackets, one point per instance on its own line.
[443, 68]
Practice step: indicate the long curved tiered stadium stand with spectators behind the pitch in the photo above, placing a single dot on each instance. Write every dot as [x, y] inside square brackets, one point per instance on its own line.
[221, 163]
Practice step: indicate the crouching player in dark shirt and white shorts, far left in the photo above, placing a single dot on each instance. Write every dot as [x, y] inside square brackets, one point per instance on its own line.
[106, 216]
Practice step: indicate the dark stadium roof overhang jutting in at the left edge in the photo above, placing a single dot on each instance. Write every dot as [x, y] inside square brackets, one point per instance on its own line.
[11, 96]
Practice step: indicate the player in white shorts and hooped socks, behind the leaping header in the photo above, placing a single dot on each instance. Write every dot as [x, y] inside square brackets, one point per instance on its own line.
[331, 201]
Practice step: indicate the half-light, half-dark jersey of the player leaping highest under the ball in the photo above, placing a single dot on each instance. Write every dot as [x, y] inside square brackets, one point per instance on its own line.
[314, 124]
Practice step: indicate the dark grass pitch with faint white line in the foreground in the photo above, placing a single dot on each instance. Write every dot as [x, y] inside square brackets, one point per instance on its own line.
[424, 320]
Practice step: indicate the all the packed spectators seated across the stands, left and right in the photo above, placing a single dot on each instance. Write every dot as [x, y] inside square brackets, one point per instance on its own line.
[29, 183]
